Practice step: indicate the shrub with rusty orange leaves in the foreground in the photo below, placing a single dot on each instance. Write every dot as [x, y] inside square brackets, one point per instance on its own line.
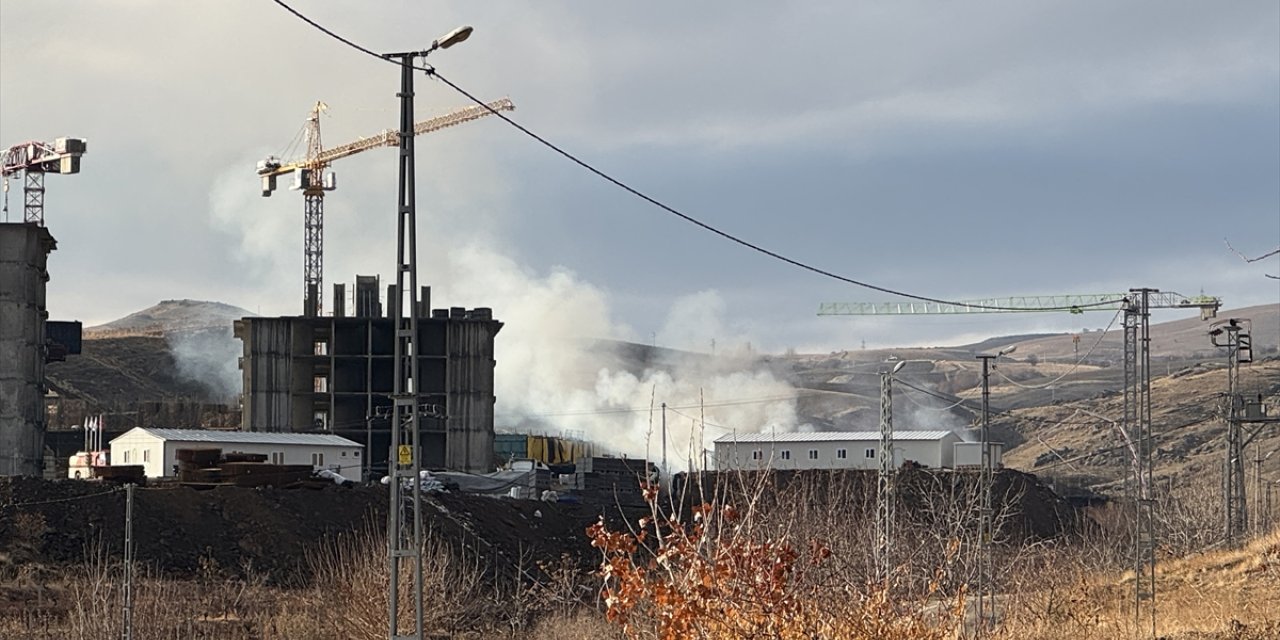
[720, 577]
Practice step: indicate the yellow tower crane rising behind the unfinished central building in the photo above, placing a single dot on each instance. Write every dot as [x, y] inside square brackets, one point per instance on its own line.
[313, 179]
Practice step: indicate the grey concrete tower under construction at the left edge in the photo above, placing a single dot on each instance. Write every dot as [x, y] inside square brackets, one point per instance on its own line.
[24, 258]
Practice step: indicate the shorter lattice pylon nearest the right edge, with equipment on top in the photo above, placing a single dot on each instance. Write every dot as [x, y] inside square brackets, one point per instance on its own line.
[1235, 336]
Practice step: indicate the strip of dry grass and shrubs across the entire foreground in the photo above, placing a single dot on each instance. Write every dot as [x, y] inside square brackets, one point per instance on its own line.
[787, 564]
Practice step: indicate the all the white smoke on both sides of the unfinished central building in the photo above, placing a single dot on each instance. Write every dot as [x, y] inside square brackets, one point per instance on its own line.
[559, 369]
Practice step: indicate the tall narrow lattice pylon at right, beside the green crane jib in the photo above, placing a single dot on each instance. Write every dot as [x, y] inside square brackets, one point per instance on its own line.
[1137, 414]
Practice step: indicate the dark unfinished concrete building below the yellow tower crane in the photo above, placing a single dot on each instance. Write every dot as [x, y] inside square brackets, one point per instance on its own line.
[335, 374]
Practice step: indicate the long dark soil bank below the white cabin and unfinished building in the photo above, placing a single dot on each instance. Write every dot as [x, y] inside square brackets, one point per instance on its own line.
[268, 532]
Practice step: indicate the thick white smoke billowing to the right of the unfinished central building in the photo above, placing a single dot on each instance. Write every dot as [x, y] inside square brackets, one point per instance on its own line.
[559, 373]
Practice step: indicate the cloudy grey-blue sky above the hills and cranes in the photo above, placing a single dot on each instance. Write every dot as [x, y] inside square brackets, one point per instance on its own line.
[952, 150]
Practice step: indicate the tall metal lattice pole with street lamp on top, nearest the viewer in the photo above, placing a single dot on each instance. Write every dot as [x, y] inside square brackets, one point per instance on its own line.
[405, 516]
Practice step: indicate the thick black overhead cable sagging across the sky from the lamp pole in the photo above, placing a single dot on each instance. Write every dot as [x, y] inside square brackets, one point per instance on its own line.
[431, 71]
